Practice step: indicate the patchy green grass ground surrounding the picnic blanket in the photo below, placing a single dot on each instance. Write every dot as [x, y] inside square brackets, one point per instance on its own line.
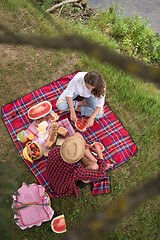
[137, 104]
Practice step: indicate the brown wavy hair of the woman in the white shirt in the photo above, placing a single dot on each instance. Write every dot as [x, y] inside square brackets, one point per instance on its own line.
[96, 80]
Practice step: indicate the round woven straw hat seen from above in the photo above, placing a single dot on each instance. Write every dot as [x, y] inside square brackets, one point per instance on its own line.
[72, 149]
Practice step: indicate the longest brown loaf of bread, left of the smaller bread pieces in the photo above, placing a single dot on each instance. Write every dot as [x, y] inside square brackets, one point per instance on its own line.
[52, 135]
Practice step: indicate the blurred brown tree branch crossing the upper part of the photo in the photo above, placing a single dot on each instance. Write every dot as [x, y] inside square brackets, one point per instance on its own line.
[75, 42]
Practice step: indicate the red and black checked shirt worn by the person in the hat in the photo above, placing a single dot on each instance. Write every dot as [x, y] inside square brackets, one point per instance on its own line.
[62, 176]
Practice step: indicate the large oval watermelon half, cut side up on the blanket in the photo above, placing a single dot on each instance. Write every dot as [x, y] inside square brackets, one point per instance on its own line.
[40, 110]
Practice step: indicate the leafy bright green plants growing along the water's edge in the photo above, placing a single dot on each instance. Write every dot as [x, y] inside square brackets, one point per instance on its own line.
[132, 34]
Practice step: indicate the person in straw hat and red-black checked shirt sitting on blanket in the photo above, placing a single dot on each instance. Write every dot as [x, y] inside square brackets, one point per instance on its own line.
[65, 176]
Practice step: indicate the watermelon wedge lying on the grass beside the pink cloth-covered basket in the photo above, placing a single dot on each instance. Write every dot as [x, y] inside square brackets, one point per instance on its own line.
[58, 224]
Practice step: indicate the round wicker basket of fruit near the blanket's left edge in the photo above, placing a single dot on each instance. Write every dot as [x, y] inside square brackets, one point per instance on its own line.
[32, 154]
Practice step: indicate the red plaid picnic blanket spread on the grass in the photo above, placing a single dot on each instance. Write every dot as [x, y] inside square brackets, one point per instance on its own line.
[119, 146]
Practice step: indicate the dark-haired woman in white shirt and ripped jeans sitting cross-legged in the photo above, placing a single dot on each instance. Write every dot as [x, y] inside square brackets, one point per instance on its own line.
[91, 87]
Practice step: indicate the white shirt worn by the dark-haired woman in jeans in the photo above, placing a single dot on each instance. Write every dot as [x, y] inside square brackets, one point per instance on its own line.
[77, 86]
